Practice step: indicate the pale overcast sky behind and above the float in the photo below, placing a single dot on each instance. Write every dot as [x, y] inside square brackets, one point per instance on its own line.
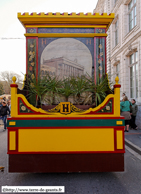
[12, 39]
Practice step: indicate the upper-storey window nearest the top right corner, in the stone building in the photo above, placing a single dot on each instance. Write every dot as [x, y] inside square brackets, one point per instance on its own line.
[132, 14]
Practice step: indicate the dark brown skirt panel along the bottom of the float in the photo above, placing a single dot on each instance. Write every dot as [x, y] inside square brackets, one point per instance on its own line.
[66, 163]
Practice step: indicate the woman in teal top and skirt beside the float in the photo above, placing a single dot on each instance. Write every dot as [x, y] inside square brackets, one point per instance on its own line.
[125, 112]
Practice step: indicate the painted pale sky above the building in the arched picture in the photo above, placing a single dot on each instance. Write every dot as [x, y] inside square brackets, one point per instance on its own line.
[71, 49]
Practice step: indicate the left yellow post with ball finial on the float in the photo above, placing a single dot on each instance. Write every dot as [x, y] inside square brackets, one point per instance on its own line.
[14, 109]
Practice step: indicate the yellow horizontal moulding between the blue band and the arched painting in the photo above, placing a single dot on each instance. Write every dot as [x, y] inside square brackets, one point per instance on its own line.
[88, 35]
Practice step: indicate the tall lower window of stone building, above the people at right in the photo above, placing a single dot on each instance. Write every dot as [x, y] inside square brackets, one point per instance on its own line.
[134, 75]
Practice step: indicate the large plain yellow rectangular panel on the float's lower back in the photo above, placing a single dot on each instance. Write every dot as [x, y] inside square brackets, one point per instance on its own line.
[54, 140]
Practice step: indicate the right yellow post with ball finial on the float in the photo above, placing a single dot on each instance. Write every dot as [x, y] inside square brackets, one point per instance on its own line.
[117, 97]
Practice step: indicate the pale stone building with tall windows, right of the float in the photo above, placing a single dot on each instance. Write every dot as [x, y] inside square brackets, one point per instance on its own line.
[124, 46]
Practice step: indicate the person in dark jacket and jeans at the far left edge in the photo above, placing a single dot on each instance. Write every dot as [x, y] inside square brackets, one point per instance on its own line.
[4, 112]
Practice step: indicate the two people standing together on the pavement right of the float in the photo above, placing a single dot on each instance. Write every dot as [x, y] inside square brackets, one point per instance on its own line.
[129, 111]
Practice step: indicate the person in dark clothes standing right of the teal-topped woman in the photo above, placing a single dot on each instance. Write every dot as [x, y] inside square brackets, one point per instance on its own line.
[134, 110]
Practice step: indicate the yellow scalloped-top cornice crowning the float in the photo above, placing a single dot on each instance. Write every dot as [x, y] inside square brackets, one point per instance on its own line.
[65, 18]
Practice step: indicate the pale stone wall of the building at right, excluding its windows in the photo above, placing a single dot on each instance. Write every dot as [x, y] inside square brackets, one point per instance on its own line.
[128, 43]
